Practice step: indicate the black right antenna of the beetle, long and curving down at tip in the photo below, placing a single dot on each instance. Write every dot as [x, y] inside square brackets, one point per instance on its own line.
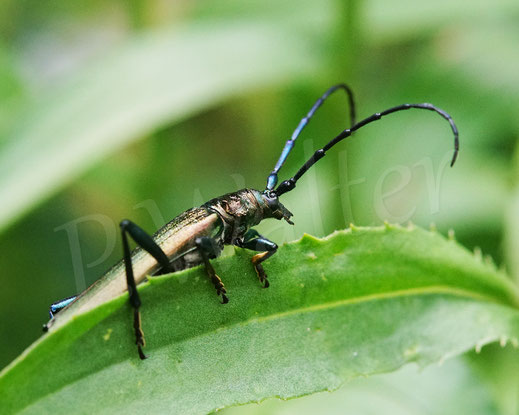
[289, 184]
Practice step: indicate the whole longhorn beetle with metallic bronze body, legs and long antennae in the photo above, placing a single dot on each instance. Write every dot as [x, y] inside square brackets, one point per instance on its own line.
[199, 234]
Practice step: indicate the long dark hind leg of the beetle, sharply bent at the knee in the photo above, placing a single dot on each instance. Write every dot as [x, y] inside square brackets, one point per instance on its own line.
[146, 242]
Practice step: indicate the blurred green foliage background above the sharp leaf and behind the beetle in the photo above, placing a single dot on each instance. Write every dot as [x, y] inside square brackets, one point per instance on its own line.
[142, 109]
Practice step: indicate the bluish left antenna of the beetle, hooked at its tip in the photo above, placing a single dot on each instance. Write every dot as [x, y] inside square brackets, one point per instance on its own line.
[273, 177]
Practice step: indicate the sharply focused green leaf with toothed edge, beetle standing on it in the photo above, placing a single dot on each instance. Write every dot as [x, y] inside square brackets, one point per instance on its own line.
[359, 302]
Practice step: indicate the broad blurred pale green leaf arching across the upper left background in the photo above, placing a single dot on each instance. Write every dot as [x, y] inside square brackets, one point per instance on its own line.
[156, 78]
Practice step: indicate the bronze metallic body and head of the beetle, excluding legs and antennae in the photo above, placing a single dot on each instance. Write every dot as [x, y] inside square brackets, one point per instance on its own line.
[224, 220]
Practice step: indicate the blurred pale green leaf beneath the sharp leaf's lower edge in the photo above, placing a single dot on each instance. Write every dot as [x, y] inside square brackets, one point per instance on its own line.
[409, 391]
